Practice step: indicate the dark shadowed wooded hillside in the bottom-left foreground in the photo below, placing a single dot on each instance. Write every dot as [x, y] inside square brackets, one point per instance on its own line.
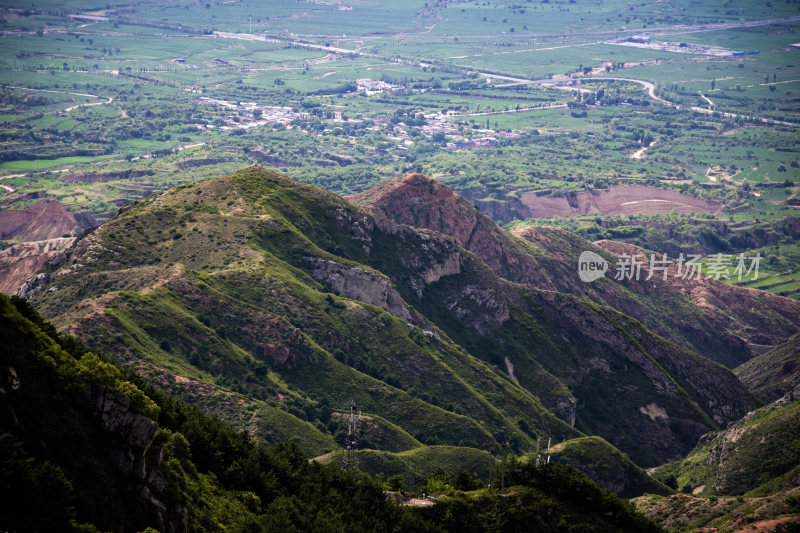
[81, 451]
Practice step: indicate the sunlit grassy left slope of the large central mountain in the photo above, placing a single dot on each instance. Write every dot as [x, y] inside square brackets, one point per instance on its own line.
[218, 296]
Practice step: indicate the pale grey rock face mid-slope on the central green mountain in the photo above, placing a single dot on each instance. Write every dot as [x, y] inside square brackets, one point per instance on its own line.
[360, 284]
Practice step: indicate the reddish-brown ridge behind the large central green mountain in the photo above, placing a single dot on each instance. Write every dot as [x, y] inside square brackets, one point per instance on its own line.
[547, 258]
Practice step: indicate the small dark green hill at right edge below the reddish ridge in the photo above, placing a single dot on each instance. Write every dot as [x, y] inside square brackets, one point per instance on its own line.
[774, 373]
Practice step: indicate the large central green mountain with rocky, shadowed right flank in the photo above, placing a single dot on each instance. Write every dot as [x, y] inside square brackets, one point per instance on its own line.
[255, 283]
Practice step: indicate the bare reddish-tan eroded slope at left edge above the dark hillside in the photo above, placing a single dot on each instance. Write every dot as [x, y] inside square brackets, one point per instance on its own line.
[20, 261]
